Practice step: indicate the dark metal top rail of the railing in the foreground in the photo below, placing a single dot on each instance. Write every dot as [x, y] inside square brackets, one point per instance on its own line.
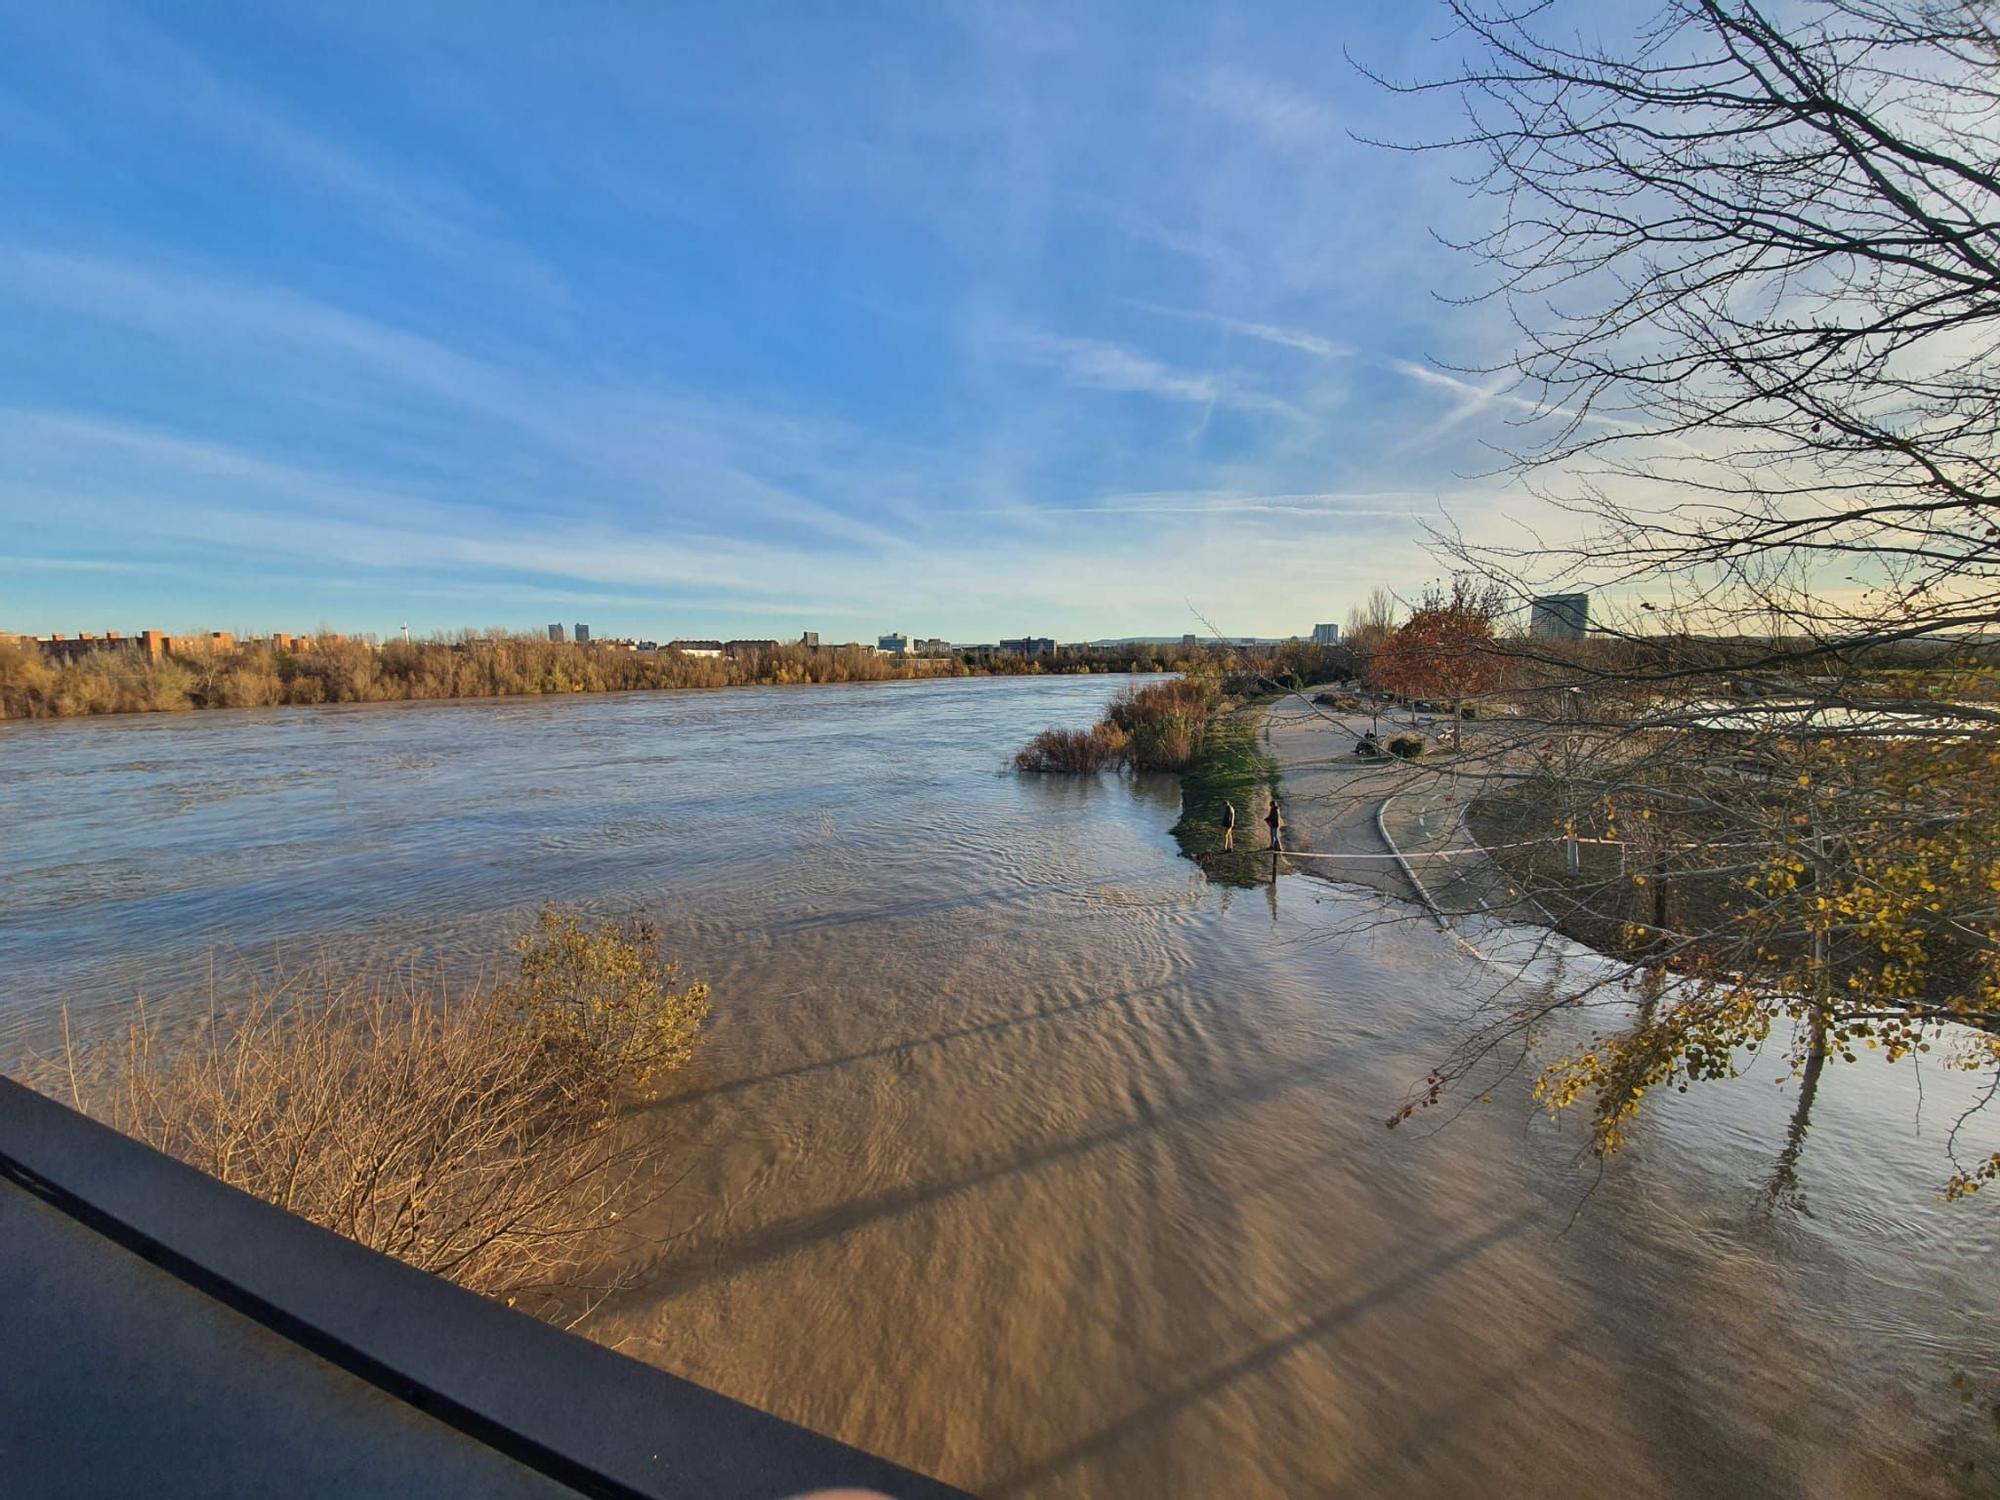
[577, 1413]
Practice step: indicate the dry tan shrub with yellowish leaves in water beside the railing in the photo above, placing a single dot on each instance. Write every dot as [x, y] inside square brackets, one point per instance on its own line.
[473, 1137]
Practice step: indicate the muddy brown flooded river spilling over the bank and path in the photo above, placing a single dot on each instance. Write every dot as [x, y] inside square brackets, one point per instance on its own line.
[1019, 1153]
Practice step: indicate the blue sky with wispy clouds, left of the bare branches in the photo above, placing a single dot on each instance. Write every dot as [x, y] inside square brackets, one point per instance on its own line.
[749, 319]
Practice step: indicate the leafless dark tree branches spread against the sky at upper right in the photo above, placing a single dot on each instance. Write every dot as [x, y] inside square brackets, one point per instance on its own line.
[1755, 275]
